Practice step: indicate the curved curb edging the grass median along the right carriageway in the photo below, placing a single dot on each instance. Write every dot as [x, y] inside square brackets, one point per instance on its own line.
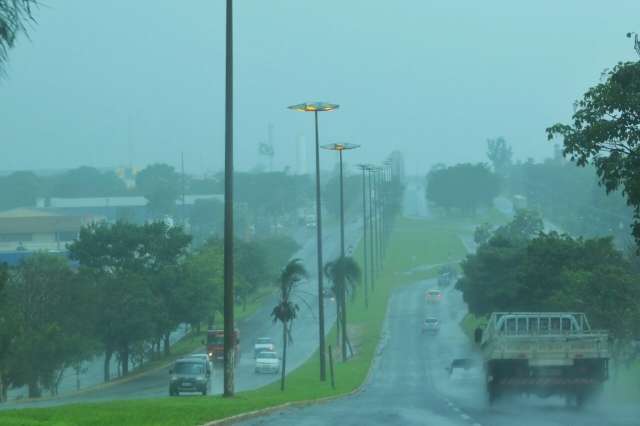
[295, 404]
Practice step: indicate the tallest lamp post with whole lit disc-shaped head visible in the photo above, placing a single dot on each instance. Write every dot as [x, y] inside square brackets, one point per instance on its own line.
[317, 107]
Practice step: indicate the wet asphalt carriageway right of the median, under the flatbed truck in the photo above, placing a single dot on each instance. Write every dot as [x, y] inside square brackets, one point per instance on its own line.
[409, 384]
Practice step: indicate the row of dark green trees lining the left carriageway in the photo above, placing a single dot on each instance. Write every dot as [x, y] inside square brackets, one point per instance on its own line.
[131, 287]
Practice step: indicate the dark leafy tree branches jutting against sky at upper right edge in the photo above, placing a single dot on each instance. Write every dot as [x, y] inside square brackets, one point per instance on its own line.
[606, 132]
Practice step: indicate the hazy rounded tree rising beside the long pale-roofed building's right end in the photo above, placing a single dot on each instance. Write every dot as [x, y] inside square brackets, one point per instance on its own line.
[160, 185]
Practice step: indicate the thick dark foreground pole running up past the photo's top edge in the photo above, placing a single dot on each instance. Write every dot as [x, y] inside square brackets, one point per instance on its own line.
[229, 327]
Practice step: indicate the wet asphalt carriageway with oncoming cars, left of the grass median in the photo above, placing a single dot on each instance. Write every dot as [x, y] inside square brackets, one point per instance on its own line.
[154, 384]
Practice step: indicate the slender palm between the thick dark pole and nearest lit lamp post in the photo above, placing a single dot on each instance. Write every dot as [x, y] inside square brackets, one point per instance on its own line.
[286, 310]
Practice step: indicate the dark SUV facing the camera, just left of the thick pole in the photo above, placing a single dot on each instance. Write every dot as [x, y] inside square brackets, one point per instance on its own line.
[189, 375]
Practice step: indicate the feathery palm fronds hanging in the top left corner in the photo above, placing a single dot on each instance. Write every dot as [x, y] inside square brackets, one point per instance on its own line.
[13, 15]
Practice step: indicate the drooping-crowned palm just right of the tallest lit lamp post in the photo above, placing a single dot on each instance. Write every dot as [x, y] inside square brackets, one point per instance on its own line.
[345, 274]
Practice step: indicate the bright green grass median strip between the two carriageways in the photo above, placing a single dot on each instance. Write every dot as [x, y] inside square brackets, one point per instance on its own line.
[413, 243]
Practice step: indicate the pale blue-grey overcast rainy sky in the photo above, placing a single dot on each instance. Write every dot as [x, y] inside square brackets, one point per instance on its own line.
[119, 82]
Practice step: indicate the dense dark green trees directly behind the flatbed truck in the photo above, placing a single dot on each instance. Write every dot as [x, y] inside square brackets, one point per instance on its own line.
[553, 272]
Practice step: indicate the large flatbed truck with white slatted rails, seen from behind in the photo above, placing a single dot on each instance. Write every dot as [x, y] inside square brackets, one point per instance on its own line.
[543, 353]
